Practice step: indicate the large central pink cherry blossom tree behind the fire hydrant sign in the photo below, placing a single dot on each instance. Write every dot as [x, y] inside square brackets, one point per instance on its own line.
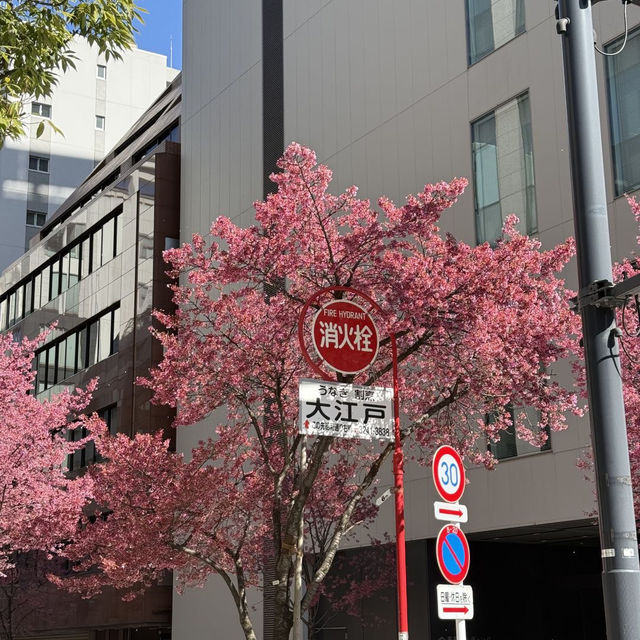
[479, 329]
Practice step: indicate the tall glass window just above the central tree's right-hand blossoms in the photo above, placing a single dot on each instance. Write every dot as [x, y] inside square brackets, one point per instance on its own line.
[503, 171]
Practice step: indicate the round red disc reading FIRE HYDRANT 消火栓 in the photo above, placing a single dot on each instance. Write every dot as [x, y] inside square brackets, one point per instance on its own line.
[345, 336]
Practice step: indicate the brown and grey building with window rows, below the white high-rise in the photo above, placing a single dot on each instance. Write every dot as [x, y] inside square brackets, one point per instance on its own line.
[96, 269]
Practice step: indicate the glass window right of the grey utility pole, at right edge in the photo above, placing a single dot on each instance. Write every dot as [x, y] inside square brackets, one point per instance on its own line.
[623, 79]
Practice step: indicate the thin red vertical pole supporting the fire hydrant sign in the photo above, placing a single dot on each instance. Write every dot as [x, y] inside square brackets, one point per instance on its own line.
[398, 475]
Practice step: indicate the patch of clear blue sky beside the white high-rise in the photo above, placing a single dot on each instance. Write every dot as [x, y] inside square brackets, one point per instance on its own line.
[162, 23]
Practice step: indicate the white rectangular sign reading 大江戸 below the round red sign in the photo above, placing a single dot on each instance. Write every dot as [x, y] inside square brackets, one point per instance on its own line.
[345, 410]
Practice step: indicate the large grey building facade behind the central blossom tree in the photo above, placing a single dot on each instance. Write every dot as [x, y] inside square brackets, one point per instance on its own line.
[392, 96]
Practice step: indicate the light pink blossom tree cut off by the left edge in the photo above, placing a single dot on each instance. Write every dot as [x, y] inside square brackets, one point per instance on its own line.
[39, 505]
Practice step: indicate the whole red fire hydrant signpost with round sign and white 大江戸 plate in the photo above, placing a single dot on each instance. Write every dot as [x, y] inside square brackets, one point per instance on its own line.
[345, 338]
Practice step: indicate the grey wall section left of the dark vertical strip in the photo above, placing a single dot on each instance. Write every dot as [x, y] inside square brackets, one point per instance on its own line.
[221, 175]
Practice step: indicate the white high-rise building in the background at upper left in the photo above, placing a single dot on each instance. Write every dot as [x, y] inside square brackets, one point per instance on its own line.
[93, 106]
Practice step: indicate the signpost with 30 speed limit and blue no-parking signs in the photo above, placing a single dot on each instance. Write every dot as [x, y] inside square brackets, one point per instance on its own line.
[454, 600]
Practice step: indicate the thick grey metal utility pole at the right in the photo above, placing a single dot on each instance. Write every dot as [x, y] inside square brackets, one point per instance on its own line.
[618, 540]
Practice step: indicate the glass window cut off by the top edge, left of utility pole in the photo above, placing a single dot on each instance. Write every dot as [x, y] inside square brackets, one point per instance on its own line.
[492, 23]
